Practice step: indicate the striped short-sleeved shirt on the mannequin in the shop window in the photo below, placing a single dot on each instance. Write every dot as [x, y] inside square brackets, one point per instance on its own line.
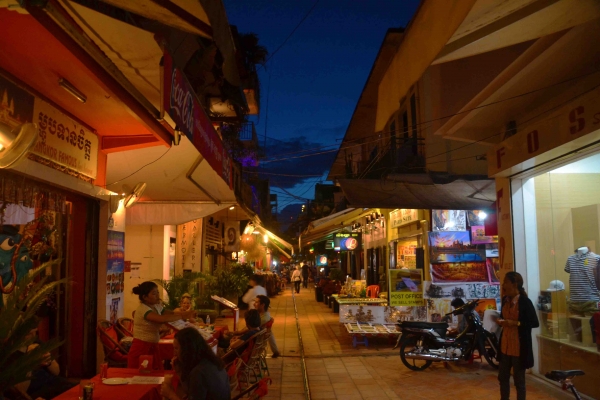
[582, 283]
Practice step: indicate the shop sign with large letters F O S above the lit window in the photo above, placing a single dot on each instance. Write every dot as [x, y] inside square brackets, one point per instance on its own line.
[574, 120]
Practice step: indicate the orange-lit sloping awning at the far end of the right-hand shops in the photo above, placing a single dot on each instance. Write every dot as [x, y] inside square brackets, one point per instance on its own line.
[323, 229]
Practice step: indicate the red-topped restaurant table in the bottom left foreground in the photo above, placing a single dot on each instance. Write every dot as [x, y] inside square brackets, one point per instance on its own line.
[129, 392]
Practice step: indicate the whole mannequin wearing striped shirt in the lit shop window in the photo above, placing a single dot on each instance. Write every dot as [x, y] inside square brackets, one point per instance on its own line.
[584, 296]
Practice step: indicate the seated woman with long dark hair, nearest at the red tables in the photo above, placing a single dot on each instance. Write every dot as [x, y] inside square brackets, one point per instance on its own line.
[201, 373]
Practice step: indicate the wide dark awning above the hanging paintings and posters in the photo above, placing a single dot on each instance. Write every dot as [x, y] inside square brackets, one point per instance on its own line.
[421, 191]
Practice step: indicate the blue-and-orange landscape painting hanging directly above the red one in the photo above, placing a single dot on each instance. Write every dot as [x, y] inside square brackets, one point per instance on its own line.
[454, 247]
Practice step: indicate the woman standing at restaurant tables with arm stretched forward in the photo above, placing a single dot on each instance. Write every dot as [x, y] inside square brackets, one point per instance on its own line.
[148, 318]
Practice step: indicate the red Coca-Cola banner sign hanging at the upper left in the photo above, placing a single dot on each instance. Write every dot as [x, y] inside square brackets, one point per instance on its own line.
[182, 104]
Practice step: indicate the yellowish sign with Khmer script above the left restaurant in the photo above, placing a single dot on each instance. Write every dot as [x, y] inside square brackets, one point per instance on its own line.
[61, 140]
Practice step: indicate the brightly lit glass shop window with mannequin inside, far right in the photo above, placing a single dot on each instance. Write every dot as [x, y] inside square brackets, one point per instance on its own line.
[560, 224]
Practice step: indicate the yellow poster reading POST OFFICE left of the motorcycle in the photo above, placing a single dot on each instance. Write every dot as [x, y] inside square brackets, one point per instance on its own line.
[406, 287]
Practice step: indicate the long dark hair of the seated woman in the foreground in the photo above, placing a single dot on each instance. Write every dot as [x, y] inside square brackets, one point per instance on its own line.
[193, 348]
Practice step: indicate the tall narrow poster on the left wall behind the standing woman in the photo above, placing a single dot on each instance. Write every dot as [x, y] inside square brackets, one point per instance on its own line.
[115, 269]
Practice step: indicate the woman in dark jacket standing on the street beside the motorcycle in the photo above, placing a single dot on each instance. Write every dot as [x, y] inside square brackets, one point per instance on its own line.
[516, 349]
